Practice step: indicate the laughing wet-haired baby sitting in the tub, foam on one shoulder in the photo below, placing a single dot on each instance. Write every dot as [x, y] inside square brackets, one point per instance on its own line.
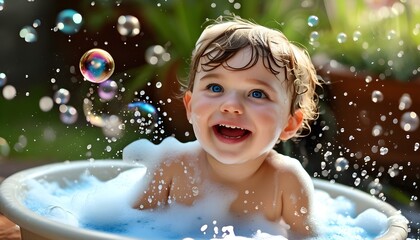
[249, 88]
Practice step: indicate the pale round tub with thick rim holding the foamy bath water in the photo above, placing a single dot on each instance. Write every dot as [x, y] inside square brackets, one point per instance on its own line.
[36, 227]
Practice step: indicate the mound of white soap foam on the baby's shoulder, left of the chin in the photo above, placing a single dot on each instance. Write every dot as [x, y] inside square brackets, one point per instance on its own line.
[170, 149]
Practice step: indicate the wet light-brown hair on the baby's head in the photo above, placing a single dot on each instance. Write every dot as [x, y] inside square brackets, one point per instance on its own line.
[226, 36]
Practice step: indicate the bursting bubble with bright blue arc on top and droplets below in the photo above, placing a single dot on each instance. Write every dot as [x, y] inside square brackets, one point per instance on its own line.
[144, 114]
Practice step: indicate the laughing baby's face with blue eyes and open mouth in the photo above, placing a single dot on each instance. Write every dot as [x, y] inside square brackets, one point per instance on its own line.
[238, 116]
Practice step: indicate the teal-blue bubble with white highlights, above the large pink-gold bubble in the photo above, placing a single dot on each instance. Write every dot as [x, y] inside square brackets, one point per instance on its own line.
[69, 21]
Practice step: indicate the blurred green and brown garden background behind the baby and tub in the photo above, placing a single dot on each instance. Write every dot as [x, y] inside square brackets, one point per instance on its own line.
[367, 52]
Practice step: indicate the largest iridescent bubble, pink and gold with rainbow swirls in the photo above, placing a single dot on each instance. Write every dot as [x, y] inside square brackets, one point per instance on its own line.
[96, 65]
